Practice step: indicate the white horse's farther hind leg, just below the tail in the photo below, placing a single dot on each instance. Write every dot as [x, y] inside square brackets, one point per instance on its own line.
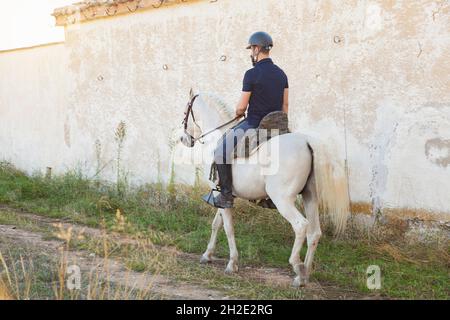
[313, 233]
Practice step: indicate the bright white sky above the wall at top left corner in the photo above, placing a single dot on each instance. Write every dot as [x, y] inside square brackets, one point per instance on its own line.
[25, 23]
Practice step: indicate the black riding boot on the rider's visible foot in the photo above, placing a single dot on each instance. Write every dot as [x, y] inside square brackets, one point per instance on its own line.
[225, 198]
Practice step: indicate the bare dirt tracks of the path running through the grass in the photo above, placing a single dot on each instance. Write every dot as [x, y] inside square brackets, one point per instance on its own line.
[162, 285]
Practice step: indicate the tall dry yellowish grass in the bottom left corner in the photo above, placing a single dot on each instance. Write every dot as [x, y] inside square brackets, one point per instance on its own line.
[102, 278]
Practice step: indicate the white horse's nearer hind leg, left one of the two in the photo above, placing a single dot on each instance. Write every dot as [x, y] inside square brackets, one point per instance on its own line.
[286, 206]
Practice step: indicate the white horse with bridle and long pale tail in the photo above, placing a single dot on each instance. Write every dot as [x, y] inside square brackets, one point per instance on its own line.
[322, 183]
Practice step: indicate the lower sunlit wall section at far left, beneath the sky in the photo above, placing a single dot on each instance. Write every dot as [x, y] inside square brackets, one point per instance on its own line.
[32, 107]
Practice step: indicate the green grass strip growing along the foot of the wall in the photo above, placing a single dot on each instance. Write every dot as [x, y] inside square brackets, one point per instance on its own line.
[263, 237]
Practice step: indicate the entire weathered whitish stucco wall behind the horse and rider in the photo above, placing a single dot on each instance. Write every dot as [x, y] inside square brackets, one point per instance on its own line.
[371, 77]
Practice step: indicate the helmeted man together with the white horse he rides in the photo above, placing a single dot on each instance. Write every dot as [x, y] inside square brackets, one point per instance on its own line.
[308, 168]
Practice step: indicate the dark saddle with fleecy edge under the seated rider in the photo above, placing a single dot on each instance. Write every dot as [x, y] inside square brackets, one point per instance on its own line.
[274, 124]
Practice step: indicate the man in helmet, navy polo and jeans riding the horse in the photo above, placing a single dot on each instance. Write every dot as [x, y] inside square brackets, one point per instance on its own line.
[265, 89]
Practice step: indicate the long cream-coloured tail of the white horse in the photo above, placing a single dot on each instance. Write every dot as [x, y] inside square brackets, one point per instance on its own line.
[331, 185]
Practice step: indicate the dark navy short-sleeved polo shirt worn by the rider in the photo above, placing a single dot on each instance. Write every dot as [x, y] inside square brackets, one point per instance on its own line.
[266, 82]
